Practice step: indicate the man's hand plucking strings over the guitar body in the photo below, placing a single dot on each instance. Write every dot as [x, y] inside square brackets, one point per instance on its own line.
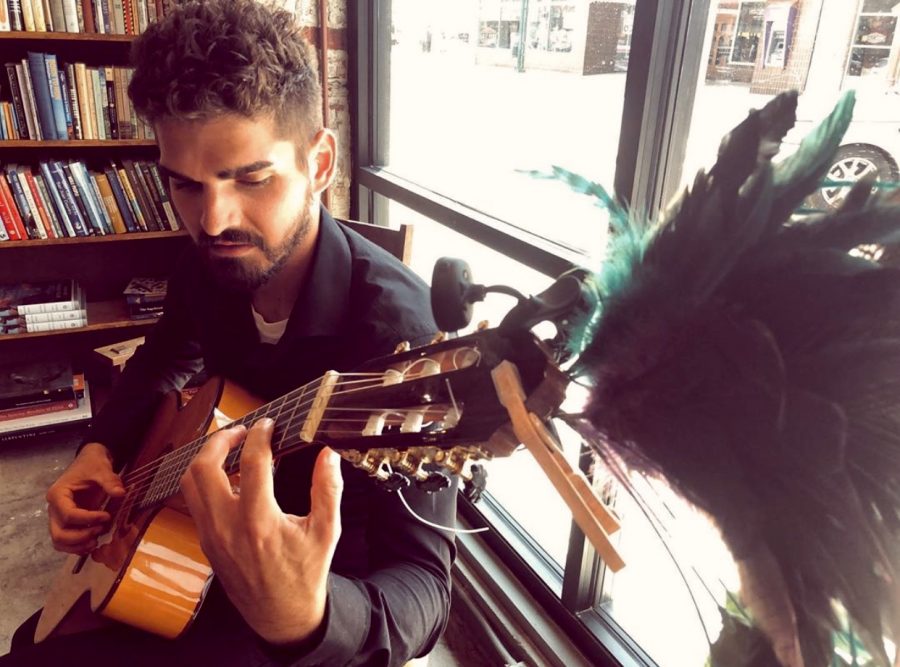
[75, 522]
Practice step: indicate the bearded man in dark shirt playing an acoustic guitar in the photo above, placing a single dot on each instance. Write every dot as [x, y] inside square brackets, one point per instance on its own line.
[313, 566]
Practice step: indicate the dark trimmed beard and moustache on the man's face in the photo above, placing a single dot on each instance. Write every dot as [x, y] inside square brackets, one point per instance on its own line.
[243, 274]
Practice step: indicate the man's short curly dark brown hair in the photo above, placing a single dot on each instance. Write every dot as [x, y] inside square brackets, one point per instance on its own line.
[217, 57]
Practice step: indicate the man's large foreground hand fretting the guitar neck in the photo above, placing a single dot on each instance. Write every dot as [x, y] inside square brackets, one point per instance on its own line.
[273, 566]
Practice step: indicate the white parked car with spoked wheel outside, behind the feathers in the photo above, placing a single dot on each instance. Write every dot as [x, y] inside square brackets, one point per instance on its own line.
[871, 144]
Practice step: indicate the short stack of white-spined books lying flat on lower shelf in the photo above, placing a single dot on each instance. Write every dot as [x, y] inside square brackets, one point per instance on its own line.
[45, 306]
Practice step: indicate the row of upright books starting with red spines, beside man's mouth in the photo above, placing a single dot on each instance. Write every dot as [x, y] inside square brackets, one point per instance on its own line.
[66, 199]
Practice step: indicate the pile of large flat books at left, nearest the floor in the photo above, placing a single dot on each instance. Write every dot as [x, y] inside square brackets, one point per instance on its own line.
[38, 398]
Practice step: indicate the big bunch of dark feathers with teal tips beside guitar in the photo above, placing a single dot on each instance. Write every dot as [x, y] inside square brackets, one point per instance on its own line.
[753, 361]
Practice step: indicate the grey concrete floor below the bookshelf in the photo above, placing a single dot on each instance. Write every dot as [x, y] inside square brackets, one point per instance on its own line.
[27, 561]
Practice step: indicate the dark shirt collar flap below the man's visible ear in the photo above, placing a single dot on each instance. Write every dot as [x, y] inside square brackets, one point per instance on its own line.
[324, 299]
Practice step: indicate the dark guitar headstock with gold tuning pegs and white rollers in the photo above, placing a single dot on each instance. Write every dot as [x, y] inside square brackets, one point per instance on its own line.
[435, 406]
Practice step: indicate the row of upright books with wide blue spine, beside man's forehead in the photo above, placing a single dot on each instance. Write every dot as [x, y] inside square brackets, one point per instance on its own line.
[55, 101]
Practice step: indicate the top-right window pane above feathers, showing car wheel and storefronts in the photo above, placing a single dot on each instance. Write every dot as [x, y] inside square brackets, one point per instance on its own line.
[821, 49]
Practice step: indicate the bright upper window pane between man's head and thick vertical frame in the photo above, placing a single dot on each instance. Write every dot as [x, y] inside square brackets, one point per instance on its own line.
[476, 102]
